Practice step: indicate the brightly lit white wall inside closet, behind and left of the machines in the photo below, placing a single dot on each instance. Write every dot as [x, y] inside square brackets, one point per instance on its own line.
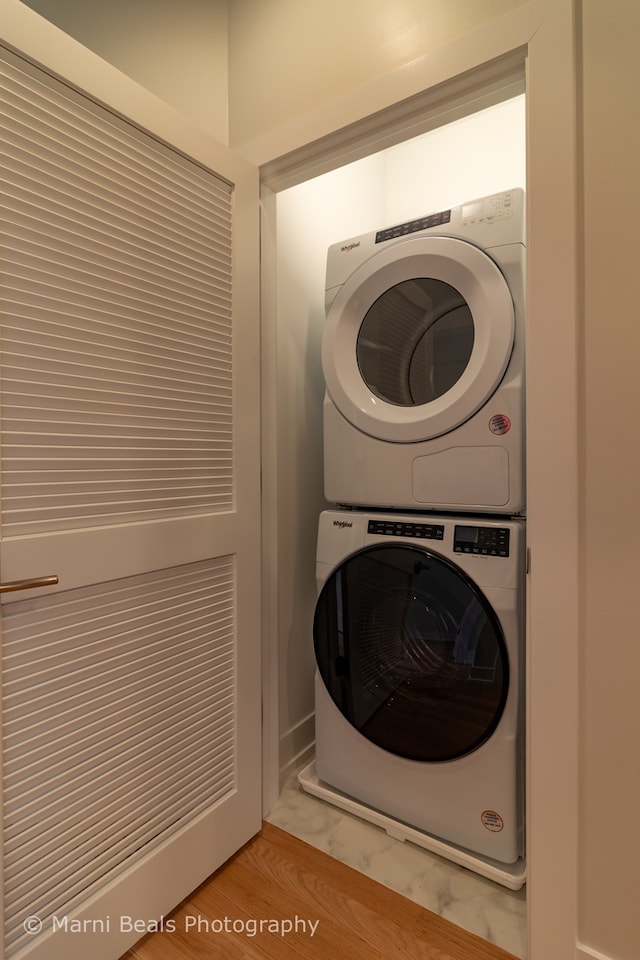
[479, 155]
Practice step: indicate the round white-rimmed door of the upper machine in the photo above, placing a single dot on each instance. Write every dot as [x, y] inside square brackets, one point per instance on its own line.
[418, 339]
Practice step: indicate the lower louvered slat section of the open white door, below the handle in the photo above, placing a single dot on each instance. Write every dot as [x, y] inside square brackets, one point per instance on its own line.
[113, 739]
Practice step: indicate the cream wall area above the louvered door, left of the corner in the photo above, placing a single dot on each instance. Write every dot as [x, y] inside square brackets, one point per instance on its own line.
[178, 51]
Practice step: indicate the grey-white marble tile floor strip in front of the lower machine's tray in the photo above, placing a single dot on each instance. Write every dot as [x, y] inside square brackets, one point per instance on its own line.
[466, 899]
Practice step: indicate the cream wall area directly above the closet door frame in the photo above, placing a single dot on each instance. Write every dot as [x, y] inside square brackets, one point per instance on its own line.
[290, 56]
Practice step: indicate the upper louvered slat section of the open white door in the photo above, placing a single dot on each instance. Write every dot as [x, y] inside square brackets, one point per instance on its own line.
[116, 336]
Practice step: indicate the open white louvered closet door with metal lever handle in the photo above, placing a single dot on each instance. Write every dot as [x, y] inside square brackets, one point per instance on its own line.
[129, 470]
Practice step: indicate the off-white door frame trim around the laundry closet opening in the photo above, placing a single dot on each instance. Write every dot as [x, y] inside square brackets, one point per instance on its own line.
[539, 40]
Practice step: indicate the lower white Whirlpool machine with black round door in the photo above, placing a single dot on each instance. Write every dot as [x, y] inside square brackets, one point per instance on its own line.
[418, 635]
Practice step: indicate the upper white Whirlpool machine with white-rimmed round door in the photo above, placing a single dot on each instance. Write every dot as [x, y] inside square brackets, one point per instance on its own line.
[423, 359]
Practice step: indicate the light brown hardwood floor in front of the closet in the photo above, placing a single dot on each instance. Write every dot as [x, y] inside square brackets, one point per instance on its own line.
[279, 898]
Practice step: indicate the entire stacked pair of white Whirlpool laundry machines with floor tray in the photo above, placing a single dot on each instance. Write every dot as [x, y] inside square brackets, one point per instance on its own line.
[419, 624]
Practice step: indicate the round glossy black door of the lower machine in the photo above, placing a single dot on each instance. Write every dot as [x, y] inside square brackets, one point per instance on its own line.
[411, 652]
